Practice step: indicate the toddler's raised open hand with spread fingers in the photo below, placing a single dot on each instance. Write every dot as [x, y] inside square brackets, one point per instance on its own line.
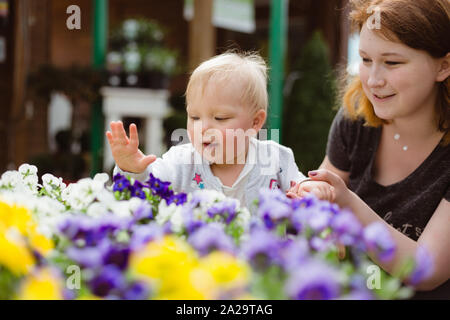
[125, 150]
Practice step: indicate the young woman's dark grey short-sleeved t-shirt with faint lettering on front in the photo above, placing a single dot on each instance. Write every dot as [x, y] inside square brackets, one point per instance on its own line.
[406, 205]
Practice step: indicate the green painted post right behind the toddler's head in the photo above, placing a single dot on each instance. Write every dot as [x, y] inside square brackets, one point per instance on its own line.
[277, 53]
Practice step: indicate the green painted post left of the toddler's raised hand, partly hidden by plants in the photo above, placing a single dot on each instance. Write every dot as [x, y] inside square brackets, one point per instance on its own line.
[99, 45]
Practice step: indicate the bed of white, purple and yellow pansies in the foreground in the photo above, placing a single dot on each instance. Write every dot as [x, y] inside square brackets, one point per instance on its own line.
[133, 240]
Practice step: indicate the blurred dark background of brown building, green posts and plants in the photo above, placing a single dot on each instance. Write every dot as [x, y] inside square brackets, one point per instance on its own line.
[68, 67]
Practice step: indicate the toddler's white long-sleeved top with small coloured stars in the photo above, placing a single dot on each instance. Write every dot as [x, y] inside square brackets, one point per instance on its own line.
[268, 165]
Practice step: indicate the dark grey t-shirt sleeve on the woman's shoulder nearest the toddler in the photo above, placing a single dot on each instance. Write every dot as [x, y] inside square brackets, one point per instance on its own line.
[339, 142]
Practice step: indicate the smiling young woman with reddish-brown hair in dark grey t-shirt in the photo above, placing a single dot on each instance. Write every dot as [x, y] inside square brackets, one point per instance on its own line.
[388, 153]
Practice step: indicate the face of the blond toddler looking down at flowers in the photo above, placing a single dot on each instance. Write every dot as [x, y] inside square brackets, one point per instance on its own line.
[219, 124]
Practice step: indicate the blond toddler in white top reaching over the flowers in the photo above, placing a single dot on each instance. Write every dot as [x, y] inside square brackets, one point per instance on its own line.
[226, 101]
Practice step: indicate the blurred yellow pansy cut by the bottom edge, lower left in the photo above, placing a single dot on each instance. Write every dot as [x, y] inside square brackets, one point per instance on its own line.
[43, 285]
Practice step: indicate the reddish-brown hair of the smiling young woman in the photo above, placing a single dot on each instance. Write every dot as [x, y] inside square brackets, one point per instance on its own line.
[419, 24]
